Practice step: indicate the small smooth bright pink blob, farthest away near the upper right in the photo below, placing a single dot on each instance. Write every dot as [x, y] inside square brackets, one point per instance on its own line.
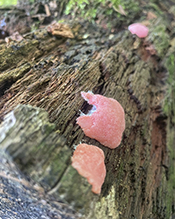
[139, 29]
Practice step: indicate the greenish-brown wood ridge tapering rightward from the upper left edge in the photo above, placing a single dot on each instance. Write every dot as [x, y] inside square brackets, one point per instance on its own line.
[31, 47]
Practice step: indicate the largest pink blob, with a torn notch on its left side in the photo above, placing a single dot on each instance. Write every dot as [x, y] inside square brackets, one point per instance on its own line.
[105, 122]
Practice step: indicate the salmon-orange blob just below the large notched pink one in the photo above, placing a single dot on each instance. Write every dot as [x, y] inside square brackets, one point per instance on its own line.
[88, 160]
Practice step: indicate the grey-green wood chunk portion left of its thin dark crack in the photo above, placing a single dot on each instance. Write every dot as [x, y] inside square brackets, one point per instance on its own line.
[31, 141]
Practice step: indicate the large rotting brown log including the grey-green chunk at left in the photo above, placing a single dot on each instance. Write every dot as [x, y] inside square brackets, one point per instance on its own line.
[44, 73]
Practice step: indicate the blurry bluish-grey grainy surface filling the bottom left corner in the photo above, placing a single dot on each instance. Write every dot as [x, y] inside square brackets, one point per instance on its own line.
[21, 198]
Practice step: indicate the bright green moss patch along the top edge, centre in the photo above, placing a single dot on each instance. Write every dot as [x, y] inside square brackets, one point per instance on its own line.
[89, 9]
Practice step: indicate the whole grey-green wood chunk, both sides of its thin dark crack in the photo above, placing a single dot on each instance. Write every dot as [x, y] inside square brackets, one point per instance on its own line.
[41, 153]
